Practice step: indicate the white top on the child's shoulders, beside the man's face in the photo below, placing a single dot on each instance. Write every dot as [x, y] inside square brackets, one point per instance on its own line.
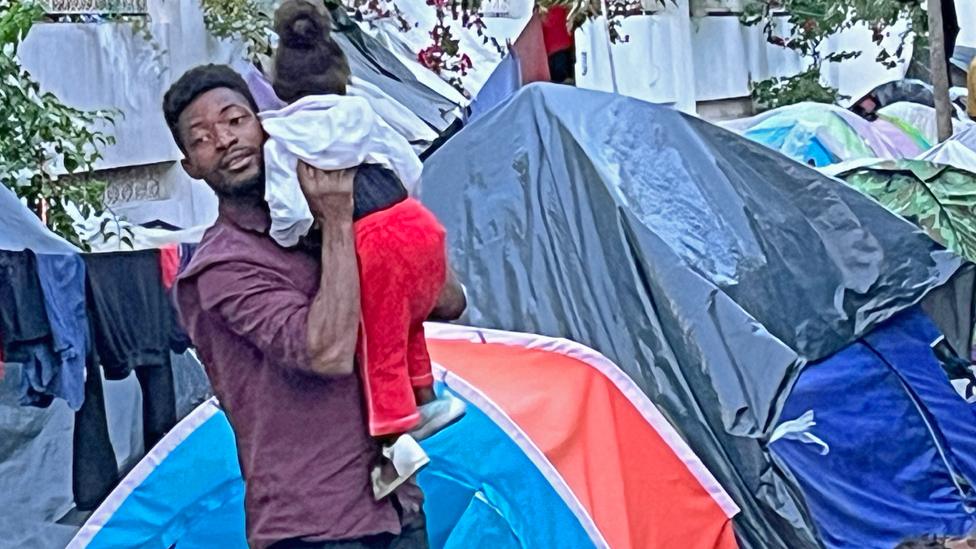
[329, 132]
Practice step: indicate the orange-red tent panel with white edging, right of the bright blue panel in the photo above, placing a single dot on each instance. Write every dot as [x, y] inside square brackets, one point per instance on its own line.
[633, 480]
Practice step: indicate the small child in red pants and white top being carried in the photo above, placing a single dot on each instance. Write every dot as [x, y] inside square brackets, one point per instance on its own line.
[400, 244]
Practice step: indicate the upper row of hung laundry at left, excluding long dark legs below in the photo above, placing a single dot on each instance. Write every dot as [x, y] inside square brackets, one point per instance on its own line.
[56, 305]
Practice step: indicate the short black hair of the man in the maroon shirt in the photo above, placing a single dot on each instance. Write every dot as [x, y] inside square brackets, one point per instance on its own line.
[194, 83]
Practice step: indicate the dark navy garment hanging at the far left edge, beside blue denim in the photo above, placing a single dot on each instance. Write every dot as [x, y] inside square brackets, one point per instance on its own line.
[27, 334]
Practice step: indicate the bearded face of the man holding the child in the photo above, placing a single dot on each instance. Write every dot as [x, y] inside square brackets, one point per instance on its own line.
[223, 142]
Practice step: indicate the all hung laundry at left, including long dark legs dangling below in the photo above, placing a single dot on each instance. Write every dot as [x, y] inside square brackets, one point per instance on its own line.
[70, 313]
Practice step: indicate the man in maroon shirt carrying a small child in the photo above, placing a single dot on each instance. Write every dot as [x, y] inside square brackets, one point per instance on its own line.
[277, 330]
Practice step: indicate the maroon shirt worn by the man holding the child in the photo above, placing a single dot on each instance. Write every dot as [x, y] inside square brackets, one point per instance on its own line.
[304, 448]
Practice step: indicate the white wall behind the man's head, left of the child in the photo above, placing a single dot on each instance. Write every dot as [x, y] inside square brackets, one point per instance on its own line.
[106, 66]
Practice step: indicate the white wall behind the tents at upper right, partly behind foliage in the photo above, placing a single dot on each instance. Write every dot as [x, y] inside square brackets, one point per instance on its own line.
[673, 58]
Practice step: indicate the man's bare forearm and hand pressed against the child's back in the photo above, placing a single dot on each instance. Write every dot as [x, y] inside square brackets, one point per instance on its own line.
[334, 315]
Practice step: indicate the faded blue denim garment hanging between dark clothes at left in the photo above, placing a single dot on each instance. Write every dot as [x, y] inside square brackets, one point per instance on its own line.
[62, 280]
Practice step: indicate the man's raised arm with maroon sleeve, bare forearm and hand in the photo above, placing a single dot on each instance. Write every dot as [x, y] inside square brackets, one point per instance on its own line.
[316, 336]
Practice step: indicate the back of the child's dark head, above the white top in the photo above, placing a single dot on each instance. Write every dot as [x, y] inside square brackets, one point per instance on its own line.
[308, 60]
